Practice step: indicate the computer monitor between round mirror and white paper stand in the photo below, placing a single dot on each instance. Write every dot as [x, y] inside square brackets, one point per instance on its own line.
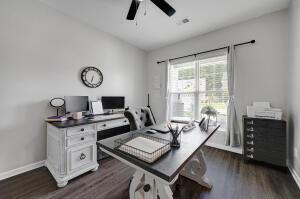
[76, 104]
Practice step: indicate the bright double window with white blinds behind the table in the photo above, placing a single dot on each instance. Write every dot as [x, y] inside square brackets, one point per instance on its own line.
[196, 84]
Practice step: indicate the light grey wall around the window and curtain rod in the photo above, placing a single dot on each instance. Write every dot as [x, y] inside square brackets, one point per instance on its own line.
[261, 68]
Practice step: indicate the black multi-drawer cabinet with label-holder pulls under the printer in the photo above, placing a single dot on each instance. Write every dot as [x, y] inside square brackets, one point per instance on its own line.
[265, 140]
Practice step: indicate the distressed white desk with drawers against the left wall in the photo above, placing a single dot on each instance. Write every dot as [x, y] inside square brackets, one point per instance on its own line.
[71, 145]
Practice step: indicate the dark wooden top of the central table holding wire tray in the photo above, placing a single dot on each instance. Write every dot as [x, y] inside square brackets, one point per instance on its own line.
[170, 164]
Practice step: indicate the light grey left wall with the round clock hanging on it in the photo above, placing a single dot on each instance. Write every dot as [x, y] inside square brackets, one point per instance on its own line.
[41, 55]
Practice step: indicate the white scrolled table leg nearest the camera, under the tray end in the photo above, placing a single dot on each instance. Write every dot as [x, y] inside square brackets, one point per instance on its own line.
[145, 186]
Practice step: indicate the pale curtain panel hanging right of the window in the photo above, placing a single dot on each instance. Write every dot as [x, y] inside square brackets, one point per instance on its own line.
[233, 135]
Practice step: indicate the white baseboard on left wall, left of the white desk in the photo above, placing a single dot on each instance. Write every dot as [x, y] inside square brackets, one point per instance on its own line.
[17, 171]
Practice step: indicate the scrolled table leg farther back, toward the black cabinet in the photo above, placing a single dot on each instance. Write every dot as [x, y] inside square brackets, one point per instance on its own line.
[195, 170]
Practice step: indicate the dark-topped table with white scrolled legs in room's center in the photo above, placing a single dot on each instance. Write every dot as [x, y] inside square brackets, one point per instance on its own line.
[151, 180]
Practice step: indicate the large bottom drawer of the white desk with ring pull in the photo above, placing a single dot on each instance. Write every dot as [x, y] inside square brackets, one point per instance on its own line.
[78, 157]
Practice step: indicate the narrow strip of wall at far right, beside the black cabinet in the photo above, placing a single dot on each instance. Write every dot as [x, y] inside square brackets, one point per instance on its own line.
[294, 86]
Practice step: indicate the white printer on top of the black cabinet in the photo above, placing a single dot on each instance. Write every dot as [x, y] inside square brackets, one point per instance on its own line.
[264, 110]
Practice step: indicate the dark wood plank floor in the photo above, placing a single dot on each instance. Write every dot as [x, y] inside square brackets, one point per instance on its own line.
[231, 177]
